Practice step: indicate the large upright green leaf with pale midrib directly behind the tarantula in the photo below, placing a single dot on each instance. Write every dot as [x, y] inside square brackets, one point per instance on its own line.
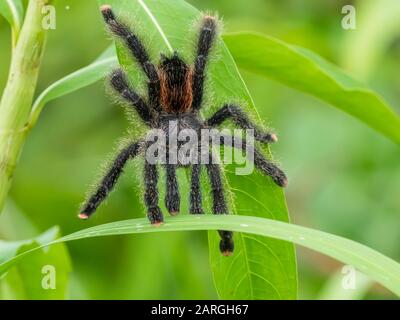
[260, 268]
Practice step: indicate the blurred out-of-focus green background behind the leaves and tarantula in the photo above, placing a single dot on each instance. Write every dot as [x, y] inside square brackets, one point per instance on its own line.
[345, 178]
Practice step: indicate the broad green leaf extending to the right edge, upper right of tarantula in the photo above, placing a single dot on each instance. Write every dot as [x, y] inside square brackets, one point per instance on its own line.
[305, 71]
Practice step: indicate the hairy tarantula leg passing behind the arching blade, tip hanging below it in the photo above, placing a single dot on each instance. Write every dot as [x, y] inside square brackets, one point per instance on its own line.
[226, 245]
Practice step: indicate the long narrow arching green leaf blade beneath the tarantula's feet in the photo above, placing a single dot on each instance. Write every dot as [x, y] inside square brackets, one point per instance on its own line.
[368, 261]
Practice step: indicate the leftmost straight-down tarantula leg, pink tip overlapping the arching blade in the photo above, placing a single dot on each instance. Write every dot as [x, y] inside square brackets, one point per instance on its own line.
[151, 193]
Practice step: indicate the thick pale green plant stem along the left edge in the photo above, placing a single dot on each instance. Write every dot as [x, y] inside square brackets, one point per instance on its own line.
[16, 102]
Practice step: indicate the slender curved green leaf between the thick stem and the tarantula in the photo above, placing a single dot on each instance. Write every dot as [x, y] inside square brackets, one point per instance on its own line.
[75, 81]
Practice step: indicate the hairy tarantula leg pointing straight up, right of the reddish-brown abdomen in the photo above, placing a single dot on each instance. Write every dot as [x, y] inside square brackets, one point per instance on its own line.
[205, 42]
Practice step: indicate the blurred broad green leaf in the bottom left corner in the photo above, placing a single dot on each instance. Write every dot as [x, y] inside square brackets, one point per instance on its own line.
[31, 279]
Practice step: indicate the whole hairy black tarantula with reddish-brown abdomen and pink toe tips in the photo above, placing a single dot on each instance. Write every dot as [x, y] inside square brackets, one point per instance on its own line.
[175, 93]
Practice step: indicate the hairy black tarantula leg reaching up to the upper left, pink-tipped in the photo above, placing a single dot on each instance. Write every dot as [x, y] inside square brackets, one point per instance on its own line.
[138, 51]
